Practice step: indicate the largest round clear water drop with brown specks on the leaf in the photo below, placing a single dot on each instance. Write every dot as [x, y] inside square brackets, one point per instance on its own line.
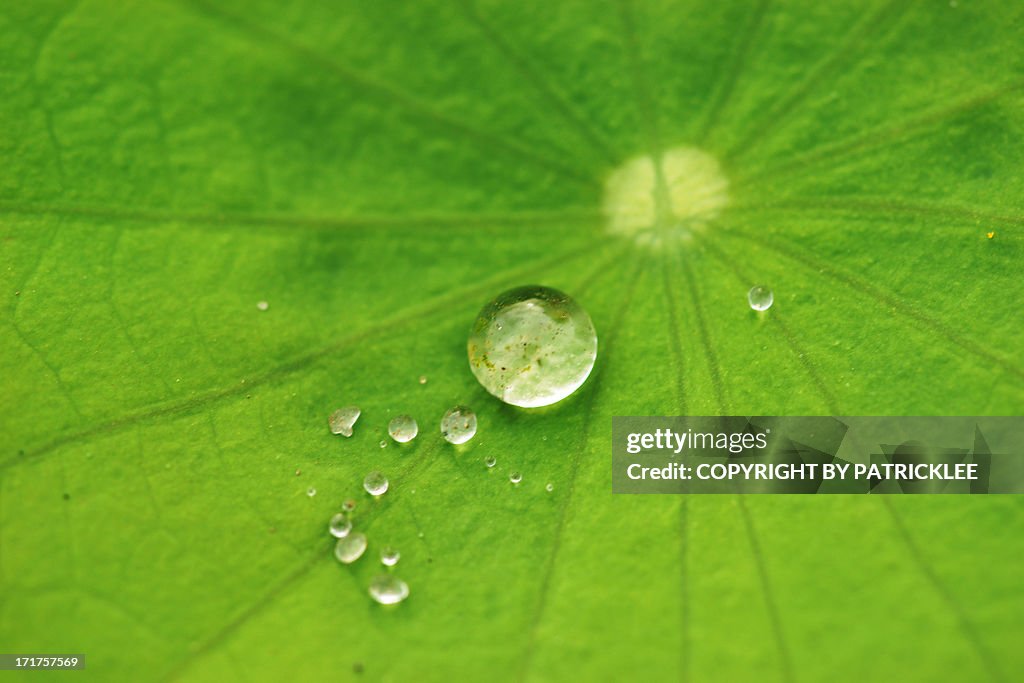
[532, 347]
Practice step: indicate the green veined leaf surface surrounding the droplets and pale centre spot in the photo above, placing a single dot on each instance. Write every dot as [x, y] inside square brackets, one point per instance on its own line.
[377, 170]
